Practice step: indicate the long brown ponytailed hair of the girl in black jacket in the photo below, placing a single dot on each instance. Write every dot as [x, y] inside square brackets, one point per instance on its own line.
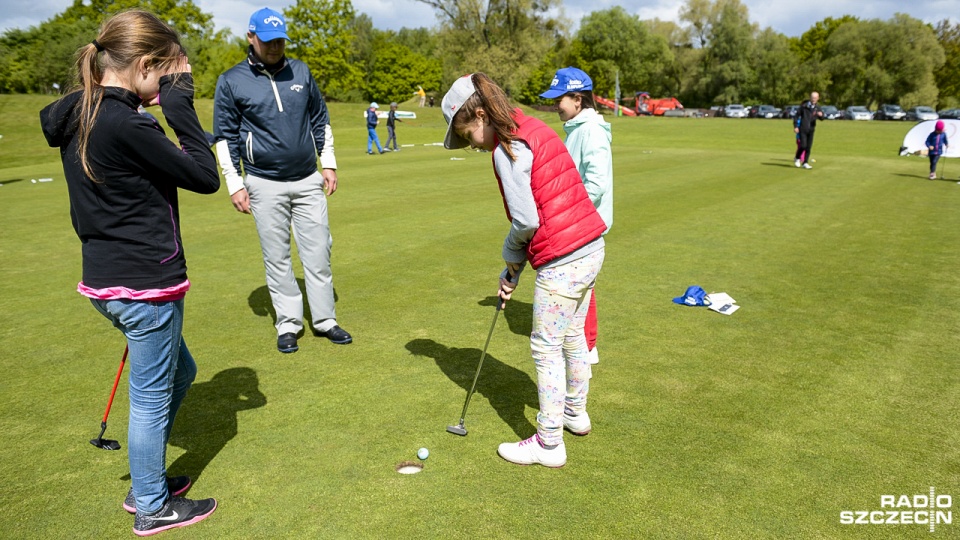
[123, 41]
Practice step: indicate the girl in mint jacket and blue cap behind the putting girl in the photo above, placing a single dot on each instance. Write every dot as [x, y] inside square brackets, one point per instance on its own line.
[588, 141]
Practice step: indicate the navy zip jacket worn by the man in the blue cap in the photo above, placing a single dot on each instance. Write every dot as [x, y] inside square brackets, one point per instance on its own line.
[273, 123]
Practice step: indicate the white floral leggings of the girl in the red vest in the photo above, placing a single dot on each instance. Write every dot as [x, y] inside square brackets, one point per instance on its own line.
[560, 302]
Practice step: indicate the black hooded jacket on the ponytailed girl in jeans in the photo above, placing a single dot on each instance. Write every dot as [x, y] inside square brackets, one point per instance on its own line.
[128, 219]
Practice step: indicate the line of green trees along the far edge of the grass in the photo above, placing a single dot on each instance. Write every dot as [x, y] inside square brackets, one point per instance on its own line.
[714, 55]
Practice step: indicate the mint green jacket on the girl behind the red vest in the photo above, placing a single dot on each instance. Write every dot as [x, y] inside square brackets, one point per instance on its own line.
[588, 141]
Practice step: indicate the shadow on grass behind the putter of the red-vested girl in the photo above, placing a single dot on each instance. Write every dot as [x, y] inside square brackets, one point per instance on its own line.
[509, 390]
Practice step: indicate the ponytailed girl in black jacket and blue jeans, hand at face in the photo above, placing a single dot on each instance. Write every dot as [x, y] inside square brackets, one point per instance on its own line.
[123, 175]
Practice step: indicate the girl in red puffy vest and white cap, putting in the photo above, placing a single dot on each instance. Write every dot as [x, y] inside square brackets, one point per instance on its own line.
[554, 227]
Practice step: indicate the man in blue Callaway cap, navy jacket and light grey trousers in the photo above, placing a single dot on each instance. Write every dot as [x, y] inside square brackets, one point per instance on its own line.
[270, 118]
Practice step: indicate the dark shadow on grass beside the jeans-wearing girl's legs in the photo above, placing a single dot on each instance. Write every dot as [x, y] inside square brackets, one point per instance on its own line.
[207, 419]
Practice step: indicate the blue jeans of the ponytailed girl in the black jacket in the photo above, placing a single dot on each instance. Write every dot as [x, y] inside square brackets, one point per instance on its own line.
[161, 372]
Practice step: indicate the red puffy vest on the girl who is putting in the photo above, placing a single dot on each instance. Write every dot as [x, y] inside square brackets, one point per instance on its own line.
[568, 219]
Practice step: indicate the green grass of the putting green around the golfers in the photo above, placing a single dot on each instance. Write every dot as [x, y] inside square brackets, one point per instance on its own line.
[838, 380]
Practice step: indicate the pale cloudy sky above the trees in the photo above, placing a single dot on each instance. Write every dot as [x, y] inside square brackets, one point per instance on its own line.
[789, 17]
